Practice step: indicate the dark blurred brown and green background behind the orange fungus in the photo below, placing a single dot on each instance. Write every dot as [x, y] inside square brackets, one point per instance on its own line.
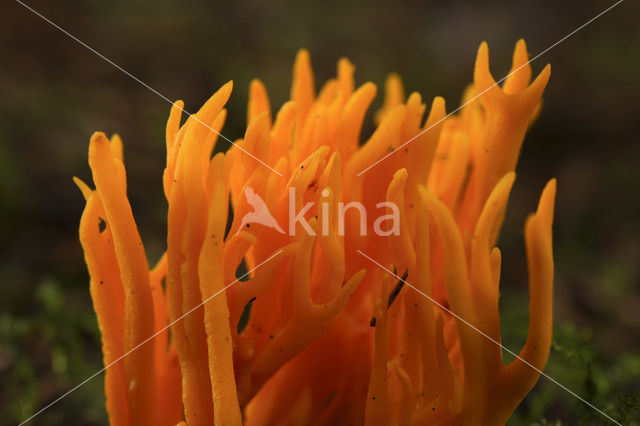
[55, 93]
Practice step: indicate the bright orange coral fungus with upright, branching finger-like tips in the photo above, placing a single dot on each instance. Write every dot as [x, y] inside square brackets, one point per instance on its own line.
[319, 331]
